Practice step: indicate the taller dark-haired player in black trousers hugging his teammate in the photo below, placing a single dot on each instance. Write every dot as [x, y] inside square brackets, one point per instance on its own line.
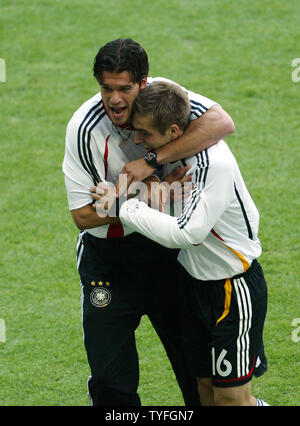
[119, 281]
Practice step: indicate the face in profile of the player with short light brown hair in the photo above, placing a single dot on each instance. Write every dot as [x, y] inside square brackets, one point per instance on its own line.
[147, 135]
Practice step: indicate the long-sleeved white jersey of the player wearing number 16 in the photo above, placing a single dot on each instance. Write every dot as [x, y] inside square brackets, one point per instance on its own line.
[217, 230]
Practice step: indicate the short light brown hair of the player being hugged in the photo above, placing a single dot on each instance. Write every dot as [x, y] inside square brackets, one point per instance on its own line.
[166, 103]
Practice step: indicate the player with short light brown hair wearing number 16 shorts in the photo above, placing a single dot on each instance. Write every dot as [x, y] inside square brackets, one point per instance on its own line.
[223, 290]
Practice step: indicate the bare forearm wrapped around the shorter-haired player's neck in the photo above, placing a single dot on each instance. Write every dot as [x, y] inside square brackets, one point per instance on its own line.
[201, 133]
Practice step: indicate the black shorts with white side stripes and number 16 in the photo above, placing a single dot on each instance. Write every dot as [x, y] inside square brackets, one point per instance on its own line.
[223, 326]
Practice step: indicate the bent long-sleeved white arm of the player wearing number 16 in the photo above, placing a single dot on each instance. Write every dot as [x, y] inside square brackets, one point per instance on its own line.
[201, 212]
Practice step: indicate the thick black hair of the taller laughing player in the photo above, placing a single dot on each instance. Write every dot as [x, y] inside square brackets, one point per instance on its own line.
[122, 55]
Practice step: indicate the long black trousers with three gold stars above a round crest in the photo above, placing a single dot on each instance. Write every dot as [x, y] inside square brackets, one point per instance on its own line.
[123, 279]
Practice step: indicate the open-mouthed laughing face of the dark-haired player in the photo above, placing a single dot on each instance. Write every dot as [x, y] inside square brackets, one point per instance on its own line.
[118, 94]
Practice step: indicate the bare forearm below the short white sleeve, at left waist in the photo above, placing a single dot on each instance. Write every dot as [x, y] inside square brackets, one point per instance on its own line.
[86, 217]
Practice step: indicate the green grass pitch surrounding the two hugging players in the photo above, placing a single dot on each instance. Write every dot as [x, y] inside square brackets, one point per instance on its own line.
[238, 53]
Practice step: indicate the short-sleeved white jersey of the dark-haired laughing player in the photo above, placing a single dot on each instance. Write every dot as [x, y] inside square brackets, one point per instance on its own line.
[97, 151]
